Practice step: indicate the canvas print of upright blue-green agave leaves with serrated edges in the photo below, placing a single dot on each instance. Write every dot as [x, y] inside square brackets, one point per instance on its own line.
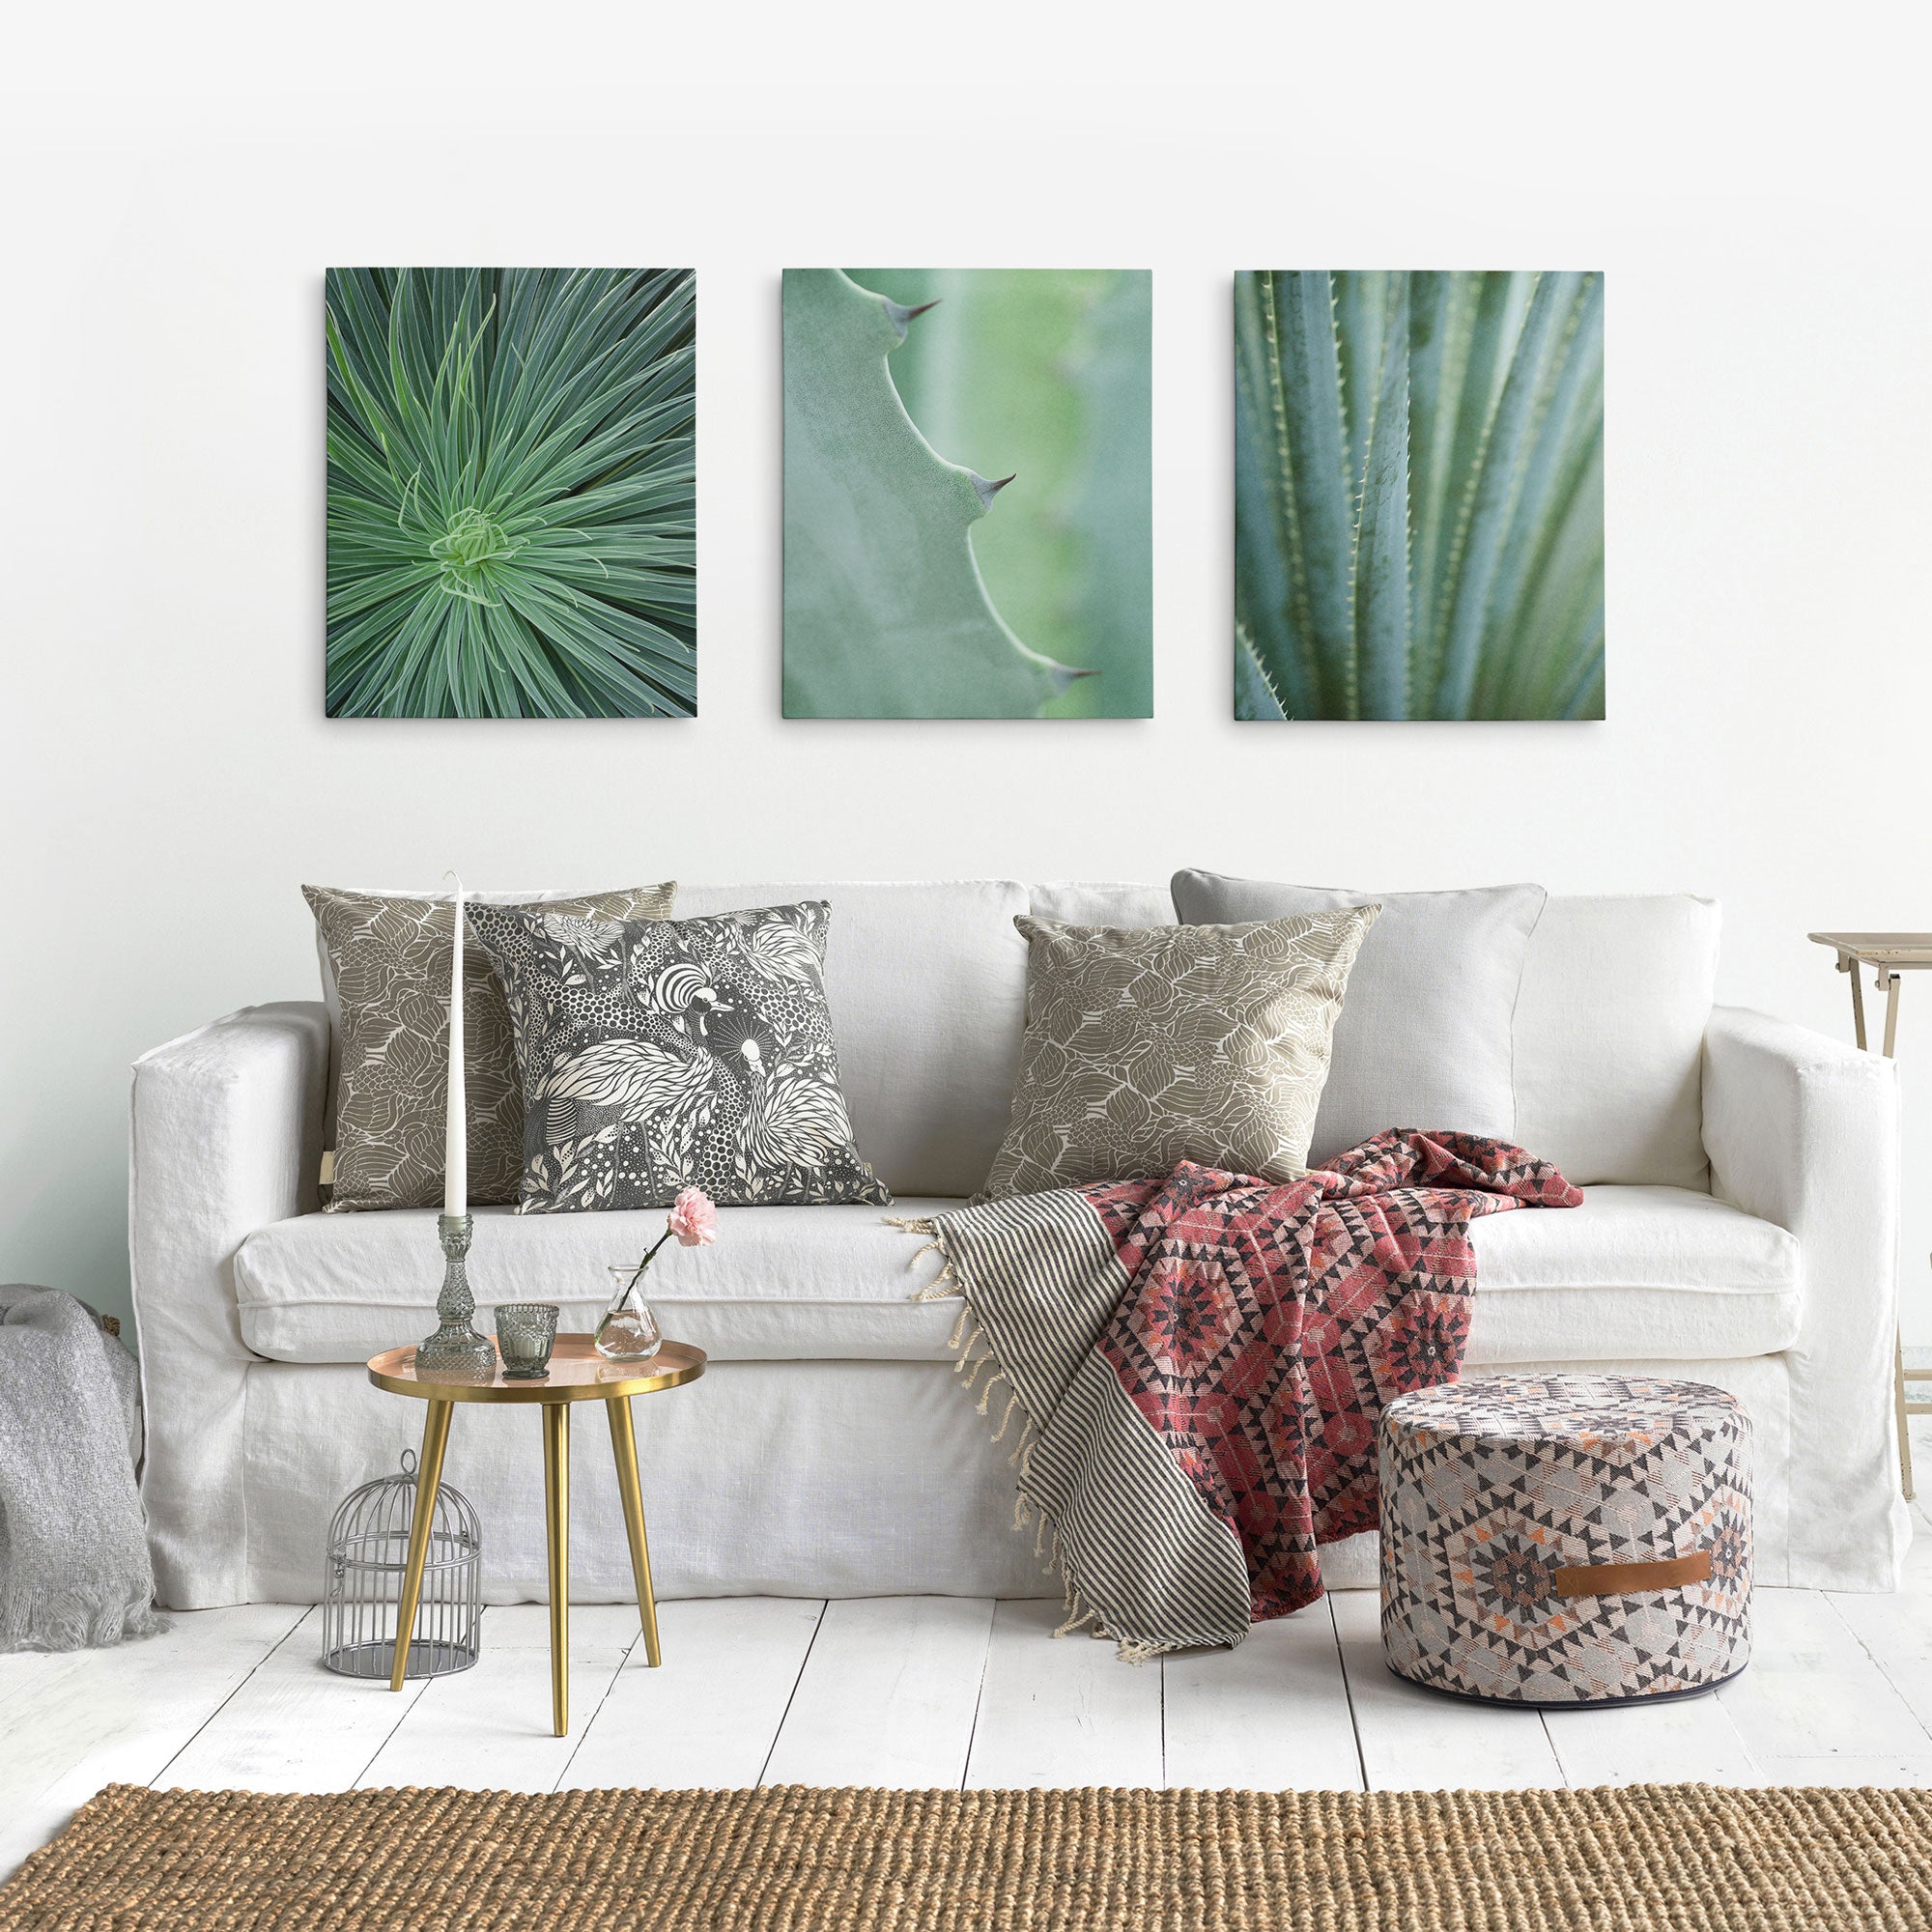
[1419, 496]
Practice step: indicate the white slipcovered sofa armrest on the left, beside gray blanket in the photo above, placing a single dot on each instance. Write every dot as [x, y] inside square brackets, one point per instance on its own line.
[227, 1137]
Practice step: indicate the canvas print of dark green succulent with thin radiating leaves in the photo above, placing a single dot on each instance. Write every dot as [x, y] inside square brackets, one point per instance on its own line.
[511, 494]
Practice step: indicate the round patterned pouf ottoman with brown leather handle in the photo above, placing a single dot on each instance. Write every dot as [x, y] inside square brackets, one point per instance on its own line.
[1566, 1539]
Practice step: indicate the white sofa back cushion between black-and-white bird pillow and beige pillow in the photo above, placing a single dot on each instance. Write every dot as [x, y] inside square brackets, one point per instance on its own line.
[926, 986]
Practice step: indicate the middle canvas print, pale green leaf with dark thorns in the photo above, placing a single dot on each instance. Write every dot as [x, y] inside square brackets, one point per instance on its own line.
[969, 494]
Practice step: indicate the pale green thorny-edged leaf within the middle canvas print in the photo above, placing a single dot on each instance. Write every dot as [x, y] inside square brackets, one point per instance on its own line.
[886, 611]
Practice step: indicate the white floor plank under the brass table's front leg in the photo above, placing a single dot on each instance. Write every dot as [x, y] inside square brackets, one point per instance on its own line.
[490, 1728]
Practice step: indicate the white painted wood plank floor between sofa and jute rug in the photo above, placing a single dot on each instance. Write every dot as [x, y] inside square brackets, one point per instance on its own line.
[934, 1691]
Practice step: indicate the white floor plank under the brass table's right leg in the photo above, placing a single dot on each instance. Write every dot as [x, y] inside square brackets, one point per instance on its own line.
[712, 1711]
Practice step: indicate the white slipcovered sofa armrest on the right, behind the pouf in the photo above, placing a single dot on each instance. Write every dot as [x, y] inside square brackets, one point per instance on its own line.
[1805, 1131]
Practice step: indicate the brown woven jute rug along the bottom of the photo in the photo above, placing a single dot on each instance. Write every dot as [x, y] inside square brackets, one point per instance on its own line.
[793, 1860]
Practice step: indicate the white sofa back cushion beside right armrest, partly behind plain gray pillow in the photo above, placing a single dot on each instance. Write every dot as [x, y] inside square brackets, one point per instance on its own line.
[1610, 1038]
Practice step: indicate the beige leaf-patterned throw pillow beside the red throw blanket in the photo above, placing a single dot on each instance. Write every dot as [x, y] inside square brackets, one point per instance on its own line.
[1176, 1044]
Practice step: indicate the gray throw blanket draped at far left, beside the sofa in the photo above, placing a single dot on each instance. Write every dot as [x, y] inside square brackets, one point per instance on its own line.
[74, 1570]
